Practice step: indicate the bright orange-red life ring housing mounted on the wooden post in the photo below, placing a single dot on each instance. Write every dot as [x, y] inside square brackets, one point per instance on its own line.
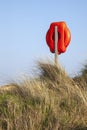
[64, 37]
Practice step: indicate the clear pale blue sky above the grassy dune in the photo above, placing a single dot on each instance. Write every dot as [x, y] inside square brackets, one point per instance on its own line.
[23, 27]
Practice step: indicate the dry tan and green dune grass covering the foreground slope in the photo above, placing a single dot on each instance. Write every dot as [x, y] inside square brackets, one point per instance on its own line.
[52, 101]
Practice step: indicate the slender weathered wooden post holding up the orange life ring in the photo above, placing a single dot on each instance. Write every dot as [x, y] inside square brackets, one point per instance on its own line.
[56, 44]
